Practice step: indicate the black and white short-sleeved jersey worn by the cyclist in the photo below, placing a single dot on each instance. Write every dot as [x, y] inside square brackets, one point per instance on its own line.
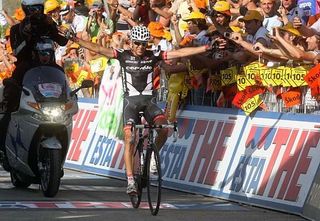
[137, 72]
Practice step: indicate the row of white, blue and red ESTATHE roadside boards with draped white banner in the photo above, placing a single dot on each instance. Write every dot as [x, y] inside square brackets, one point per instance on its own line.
[269, 160]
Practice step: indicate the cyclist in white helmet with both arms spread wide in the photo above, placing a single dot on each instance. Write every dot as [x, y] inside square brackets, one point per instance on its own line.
[137, 65]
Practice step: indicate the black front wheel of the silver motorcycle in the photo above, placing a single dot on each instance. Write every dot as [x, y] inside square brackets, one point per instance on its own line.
[50, 171]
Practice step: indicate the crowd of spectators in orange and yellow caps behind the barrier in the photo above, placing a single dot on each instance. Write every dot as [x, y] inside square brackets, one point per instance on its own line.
[265, 55]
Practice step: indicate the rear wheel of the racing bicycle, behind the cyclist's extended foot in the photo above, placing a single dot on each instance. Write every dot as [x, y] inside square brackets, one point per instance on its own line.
[136, 198]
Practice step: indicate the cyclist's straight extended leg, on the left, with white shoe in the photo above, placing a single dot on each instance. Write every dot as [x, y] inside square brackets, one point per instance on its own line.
[129, 115]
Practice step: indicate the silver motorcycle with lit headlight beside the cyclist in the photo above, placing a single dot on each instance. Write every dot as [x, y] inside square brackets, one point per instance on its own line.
[39, 132]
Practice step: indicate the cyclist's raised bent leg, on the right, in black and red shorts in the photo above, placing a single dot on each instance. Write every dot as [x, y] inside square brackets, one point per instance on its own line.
[154, 114]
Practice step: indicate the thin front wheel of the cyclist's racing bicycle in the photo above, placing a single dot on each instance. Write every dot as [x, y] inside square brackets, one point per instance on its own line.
[154, 181]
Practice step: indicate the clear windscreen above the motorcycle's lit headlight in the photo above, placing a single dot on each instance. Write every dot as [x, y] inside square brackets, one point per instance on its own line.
[46, 82]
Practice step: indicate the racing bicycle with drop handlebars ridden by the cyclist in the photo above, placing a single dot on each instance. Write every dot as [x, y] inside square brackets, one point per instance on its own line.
[147, 165]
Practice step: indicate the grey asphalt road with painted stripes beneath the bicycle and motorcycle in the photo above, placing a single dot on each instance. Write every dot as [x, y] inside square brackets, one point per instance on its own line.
[86, 197]
